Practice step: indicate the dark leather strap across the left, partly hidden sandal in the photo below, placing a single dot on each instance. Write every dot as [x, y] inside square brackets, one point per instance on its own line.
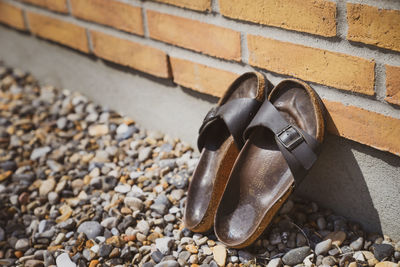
[235, 114]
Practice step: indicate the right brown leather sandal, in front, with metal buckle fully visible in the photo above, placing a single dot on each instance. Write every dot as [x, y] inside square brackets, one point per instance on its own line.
[282, 145]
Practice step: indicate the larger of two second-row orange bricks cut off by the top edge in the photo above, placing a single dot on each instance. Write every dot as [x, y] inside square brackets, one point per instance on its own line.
[115, 14]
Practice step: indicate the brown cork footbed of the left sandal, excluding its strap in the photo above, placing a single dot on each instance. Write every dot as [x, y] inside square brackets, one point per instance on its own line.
[216, 161]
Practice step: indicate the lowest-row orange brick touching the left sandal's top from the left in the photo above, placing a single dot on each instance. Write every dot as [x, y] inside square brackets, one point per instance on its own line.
[201, 78]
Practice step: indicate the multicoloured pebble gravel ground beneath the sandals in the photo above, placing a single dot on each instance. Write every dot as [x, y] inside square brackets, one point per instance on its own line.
[82, 185]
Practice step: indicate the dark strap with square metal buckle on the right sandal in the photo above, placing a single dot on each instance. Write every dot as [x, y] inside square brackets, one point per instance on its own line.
[299, 148]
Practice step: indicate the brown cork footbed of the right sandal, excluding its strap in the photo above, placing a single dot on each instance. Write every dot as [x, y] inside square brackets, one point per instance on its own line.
[261, 180]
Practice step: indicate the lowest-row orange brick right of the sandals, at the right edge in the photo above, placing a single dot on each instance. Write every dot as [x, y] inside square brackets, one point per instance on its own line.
[363, 126]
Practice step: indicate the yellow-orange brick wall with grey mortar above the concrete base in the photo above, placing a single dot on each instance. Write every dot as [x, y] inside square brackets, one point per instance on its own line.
[349, 52]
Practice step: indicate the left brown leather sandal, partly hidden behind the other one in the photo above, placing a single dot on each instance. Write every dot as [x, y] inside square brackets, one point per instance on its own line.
[220, 139]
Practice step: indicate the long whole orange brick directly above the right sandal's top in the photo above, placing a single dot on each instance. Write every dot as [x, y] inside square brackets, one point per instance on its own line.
[312, 64]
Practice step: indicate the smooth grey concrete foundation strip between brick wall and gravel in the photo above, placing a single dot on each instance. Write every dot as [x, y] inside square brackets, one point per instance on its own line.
[354, 180]
